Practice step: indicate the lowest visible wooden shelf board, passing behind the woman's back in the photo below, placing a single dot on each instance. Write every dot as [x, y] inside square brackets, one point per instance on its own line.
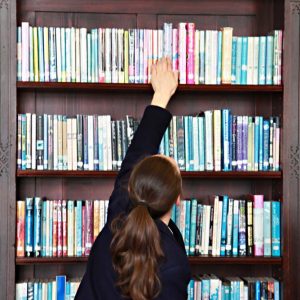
[197, 260]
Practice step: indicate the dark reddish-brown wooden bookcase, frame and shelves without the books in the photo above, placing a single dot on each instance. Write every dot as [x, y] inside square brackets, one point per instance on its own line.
[247, 17]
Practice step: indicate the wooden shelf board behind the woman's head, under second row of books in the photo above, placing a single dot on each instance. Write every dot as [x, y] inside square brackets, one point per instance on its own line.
[184, 174]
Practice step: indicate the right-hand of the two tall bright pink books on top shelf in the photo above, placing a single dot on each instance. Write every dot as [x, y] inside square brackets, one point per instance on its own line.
[190, 53]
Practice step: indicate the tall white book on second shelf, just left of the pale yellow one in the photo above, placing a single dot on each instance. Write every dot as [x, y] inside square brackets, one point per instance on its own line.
[209, 164]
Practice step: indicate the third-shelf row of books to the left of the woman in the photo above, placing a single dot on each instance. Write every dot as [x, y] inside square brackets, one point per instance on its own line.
[57, 228]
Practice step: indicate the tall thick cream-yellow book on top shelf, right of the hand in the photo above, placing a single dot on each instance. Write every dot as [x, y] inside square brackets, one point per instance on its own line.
[226, 54]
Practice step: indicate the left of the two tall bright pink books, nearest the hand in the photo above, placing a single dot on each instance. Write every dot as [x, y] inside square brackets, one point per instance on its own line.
[182, 52]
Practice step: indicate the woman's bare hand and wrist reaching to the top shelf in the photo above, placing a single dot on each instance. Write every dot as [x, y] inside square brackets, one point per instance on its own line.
[164, 82]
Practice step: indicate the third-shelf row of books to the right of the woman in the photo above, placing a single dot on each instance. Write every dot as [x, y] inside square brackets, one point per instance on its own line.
[230, 227]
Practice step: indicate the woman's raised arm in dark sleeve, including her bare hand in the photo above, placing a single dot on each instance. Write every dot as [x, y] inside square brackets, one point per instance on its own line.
[148, 136]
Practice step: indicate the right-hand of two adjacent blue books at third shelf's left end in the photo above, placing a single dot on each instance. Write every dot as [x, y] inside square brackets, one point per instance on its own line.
[37, 226]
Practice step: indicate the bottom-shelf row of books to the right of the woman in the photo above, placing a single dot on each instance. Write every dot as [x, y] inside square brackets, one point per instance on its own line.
[207, 287]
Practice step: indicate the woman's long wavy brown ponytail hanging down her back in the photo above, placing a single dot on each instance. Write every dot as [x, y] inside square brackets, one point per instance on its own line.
[136, 252]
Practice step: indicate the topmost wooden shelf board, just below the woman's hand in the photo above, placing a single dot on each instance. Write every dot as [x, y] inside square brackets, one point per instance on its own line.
[147, 87]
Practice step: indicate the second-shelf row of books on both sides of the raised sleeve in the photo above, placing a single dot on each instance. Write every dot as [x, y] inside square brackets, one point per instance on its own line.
[215, 140]
